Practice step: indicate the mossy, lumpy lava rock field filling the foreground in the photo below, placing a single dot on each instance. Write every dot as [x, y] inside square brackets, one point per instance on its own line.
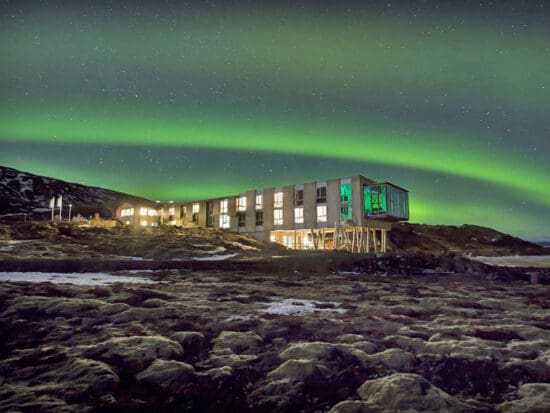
[243, 341]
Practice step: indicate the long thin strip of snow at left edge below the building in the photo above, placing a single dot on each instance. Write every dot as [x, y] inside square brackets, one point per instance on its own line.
[87, 278]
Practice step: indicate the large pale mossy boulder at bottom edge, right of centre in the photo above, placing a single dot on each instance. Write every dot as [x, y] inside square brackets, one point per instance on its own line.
[402, 391]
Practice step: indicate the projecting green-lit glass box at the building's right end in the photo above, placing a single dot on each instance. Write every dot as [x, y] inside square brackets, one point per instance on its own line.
[386, 199]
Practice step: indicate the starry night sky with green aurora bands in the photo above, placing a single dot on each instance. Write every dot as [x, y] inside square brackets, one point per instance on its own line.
[450, 100]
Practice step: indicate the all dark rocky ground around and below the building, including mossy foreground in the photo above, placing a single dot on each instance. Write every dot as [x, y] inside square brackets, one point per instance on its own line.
[228, 323]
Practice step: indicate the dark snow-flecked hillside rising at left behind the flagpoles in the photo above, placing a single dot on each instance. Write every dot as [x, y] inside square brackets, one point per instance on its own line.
[23, 192]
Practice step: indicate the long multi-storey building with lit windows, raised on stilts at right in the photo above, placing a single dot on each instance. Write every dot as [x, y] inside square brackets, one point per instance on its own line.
[353, 214]
